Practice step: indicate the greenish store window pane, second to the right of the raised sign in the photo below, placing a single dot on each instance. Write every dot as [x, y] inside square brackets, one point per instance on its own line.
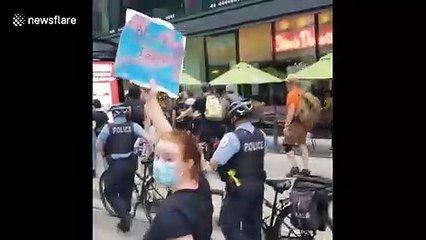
[221, 54]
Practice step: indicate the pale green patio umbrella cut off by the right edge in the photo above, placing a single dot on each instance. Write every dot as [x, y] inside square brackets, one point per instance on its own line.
[323, 69]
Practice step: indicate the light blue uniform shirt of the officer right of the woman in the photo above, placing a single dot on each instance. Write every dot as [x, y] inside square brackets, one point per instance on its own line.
[230, 144]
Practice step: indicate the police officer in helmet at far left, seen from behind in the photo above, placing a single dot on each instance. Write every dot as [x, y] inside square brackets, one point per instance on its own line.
[115, 143]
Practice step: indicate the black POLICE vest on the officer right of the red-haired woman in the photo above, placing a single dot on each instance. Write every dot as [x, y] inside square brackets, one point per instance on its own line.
[248, 162]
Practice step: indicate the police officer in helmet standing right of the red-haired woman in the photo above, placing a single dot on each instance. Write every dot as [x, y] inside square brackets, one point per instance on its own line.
[239, 161]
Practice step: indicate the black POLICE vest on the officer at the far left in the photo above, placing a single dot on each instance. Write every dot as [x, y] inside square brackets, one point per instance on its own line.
[121, 138]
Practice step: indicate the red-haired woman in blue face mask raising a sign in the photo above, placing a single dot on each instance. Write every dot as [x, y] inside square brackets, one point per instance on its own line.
[187, 213]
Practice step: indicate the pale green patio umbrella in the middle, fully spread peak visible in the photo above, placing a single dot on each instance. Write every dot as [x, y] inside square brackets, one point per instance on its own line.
[244, 73]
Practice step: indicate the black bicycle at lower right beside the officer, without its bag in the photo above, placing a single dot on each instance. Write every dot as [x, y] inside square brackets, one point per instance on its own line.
[273, 224]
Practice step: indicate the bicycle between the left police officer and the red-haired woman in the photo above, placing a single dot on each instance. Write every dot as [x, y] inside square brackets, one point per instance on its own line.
[148, 195]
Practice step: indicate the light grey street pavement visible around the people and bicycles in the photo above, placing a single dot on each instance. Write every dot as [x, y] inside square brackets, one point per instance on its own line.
[276, 166]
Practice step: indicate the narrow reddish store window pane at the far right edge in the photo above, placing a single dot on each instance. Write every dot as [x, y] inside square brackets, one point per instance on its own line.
[325, 32]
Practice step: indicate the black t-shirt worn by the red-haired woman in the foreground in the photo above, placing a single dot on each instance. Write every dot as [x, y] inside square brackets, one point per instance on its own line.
[185, 212]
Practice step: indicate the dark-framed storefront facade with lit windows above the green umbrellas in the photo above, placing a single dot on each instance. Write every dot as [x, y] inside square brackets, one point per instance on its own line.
[278, 36]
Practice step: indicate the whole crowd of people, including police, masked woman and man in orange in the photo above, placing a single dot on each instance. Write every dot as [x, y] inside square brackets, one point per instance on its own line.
[179, 164]
